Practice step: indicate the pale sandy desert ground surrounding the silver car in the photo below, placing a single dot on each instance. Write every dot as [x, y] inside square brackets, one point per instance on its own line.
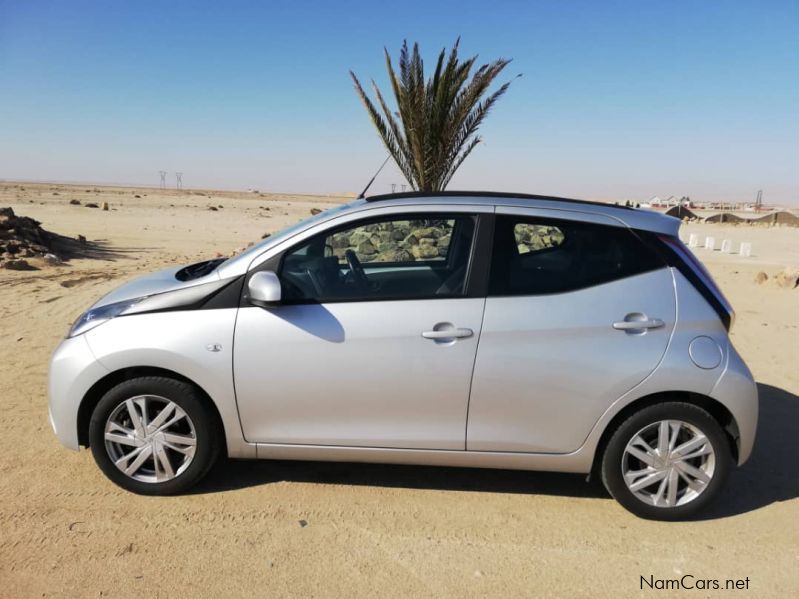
[293, 529]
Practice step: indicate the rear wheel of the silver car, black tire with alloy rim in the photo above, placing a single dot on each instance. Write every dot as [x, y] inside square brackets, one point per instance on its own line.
[696, 473]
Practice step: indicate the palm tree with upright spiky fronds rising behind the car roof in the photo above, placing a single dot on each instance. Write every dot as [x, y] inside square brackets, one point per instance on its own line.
[435, 128]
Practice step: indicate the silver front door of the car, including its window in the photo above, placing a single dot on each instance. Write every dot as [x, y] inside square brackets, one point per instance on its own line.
[374, 340]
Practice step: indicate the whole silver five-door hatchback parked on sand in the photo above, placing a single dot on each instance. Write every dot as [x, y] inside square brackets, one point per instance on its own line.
[461, 329]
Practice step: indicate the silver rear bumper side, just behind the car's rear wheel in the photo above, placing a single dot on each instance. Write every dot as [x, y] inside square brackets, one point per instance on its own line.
[736, 389]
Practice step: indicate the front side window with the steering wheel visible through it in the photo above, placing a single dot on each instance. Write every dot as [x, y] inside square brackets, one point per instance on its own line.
[409, 257]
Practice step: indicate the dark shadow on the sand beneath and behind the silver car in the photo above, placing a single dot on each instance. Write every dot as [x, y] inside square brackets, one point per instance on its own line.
[770, 475]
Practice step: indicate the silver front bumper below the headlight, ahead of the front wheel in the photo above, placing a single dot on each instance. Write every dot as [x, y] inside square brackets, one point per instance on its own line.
[73, 371]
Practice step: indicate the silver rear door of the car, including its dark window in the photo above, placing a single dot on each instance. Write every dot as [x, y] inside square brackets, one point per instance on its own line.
[579, 312]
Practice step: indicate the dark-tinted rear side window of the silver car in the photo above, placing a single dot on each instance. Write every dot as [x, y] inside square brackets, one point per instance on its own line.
[534, 256]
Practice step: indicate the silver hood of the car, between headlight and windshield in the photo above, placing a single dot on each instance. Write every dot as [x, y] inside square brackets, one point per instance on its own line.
[162, 281]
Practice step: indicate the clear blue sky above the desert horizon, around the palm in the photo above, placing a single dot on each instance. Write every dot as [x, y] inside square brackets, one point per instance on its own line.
[617, 99]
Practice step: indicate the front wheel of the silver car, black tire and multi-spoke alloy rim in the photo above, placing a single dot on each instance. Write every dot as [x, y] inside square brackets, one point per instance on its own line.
[182, 446]
